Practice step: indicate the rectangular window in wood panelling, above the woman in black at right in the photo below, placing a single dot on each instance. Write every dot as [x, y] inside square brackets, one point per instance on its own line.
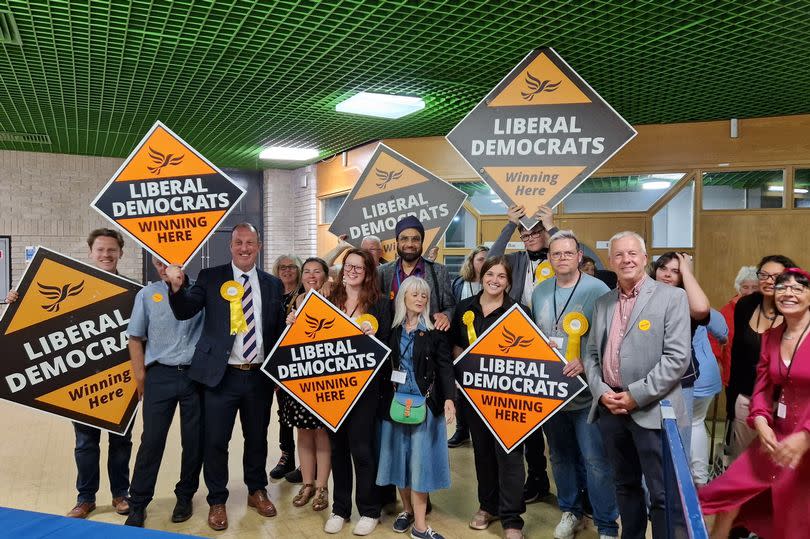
[743, 189]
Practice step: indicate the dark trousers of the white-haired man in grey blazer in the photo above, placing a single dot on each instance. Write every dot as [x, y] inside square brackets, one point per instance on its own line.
[635, 451]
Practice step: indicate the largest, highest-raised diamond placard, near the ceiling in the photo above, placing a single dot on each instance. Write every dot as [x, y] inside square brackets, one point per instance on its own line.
[539, 133]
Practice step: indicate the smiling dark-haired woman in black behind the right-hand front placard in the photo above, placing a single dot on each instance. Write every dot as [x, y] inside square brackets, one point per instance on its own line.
[500, 475]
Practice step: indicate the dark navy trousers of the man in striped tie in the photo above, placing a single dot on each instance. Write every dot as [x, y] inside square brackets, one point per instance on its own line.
[251, 394]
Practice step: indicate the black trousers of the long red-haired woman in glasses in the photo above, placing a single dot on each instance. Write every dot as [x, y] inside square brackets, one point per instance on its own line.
[354, 443]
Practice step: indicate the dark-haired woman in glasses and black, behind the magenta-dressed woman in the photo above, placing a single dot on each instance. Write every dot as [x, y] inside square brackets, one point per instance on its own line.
[754, 315]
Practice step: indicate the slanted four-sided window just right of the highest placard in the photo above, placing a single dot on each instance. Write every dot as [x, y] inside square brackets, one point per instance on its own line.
[620, 193]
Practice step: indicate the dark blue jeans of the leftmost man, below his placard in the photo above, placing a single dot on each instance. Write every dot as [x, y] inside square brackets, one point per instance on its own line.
[88, 454]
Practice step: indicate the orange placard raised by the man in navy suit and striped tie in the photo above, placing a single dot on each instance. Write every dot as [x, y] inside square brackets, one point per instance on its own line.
[168, 197]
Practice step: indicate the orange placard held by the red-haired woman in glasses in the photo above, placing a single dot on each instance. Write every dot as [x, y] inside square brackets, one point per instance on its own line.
[324, 360]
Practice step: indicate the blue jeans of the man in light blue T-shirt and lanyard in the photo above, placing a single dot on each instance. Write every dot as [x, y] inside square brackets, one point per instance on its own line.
[565, 431]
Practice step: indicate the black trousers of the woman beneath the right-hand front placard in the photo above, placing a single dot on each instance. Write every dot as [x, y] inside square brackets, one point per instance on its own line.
[500, 475]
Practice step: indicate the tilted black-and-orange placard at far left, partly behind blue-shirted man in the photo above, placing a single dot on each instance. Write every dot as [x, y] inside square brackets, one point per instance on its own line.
[64, 343]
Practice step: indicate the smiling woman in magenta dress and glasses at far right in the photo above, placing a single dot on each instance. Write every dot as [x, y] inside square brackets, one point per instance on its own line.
[767, 489]
